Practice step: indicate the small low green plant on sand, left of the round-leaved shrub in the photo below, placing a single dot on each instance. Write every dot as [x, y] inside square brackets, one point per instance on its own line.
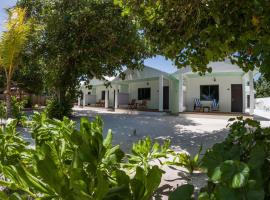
[187, 161]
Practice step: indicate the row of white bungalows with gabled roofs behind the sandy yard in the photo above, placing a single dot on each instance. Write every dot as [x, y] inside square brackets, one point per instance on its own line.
[231, 87]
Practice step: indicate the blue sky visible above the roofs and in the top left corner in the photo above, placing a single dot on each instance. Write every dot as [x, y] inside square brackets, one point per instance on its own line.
[159, 62]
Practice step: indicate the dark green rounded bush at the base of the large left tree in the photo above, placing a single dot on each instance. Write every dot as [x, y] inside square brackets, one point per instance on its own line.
[58, 110]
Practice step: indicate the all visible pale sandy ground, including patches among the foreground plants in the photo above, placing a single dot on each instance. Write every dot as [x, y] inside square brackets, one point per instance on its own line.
[186, 132]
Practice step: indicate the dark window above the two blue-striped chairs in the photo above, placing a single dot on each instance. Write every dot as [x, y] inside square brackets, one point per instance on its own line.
[209, 92]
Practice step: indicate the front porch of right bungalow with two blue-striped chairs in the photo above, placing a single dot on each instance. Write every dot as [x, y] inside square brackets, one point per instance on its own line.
[232, 91]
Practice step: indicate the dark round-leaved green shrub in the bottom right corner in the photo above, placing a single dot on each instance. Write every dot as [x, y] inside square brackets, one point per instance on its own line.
[238, 168]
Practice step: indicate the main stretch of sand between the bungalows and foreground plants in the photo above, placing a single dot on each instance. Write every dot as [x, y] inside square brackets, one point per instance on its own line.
[185, 133]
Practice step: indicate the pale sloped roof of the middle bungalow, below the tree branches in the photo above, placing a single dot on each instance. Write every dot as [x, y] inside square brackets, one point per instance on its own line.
[146, 73]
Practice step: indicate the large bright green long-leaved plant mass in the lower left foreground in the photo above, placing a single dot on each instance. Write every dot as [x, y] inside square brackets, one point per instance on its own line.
[71, 164]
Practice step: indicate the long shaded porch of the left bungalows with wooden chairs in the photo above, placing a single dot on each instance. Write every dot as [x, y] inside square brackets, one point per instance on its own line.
[148, 94]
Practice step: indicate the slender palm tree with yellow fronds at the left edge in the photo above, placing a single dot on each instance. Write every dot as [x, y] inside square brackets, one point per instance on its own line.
[12, 42]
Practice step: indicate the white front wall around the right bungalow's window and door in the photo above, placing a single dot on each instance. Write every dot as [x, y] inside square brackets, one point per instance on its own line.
[193, 90]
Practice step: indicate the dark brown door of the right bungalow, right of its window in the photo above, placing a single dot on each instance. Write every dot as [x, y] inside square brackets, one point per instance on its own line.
[237, 98]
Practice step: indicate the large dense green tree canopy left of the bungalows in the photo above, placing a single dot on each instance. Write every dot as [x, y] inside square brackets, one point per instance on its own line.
[77, 40]
